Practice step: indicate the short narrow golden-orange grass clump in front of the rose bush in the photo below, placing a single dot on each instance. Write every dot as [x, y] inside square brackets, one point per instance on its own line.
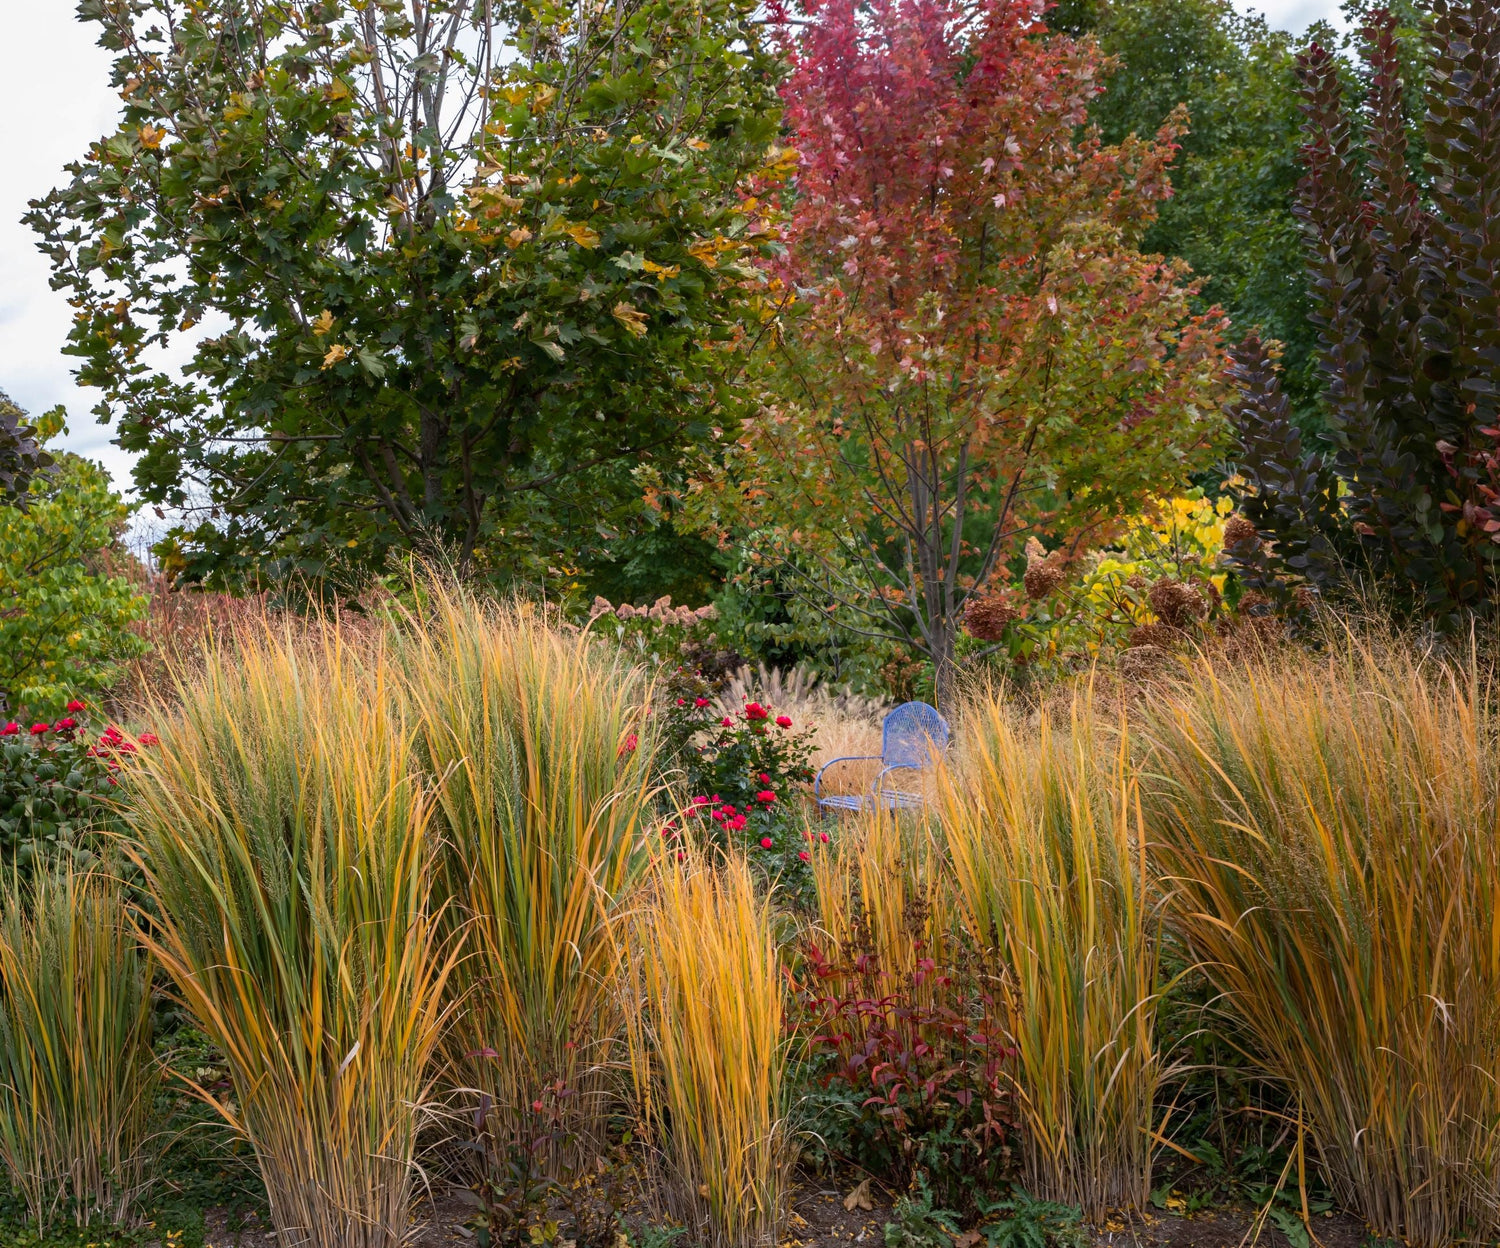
[709, 1049]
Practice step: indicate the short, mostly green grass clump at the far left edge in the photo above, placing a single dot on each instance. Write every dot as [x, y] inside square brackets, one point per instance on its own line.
[77, 1072]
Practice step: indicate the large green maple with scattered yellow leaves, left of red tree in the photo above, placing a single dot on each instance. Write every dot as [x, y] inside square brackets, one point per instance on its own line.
[448, 274]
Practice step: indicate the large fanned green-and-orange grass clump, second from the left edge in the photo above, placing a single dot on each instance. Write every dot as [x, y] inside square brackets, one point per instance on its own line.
[287, 851]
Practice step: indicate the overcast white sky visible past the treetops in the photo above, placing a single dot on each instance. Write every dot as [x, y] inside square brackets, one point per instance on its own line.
[55, 92]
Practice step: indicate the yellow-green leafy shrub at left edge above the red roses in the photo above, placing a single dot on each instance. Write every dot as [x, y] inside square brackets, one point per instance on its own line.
[65, 619]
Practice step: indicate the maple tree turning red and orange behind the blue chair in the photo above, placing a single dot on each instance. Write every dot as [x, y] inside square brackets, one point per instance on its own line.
[971, 347]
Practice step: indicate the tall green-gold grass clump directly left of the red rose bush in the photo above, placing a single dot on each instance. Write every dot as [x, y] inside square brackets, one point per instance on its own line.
[541, 760]
